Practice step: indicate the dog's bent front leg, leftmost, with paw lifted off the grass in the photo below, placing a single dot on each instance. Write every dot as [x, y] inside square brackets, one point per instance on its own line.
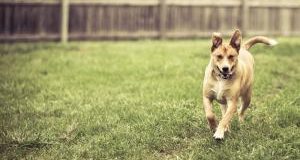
[210, 116]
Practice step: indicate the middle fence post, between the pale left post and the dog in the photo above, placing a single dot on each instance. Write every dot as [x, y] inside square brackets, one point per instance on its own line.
[162, 18]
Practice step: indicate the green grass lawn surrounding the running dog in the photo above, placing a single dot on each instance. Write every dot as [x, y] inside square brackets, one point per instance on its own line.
[140, 100]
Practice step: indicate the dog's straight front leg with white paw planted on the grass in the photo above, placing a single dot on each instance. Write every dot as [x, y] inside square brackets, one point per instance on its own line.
[224, 123]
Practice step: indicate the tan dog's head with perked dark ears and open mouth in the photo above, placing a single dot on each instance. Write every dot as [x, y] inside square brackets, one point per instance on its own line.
[225, 56]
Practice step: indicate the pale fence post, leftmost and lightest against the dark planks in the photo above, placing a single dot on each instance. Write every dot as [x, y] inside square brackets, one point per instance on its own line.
[64, 21]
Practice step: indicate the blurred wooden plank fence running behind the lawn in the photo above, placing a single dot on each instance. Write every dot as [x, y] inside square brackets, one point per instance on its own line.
[29, 20]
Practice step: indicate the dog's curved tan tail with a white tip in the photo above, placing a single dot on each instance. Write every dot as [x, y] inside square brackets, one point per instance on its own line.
[259, 39]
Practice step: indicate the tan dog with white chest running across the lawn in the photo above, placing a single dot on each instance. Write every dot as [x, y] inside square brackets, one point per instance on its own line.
[229, 77]
